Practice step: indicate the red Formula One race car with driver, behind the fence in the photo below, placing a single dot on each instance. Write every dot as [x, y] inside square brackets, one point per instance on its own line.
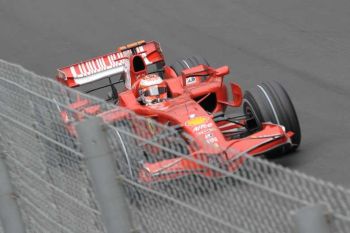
[191, 97]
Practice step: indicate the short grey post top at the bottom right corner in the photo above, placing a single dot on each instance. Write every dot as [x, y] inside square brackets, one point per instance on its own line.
[312, 219]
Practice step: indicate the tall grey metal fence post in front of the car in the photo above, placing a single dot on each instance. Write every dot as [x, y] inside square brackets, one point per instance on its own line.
[109, 192]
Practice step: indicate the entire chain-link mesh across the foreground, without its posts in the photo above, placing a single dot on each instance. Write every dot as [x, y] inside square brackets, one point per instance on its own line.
[53, 188]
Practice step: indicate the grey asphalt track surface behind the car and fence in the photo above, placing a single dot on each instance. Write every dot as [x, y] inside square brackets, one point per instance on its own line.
[303, 44]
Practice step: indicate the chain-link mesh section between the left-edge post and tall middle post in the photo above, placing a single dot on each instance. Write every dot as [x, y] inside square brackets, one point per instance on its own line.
[47, 171]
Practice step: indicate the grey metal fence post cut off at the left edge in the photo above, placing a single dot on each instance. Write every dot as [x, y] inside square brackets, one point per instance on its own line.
[9, 213]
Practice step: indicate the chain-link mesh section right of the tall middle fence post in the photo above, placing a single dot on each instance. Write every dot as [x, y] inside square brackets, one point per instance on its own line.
[259, 197]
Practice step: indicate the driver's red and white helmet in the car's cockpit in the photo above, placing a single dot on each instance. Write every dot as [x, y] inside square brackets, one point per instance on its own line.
[152, 89]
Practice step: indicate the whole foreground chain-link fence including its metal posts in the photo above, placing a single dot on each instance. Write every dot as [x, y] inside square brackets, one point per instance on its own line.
[62, 183]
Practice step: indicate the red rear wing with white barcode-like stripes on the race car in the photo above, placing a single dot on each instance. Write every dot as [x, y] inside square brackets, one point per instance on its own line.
[120, 62]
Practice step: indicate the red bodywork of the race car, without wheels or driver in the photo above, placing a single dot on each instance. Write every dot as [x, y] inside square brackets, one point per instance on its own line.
[183, 109]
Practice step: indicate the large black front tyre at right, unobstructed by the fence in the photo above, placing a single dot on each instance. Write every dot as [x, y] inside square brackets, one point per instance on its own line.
[269, 102]
